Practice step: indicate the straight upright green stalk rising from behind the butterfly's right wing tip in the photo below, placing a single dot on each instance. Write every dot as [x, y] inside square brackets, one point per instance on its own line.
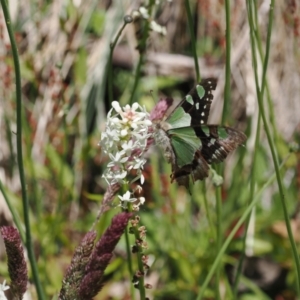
[227, 92]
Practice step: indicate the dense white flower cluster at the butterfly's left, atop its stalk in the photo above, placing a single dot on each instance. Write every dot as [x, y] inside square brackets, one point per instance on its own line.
[124, 141]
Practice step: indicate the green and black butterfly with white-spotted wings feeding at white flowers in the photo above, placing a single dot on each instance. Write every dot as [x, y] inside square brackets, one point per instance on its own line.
[188, 142]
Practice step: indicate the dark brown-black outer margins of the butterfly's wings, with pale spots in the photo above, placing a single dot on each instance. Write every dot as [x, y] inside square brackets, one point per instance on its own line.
[216, 141]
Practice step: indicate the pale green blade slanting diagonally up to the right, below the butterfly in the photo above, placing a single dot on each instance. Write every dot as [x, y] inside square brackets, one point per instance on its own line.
[256, 199]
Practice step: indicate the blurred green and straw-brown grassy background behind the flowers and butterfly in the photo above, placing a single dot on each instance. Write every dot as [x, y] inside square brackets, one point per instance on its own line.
[70, 75]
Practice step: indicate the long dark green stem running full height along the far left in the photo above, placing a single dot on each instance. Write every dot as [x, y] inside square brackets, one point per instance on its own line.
[29, 247]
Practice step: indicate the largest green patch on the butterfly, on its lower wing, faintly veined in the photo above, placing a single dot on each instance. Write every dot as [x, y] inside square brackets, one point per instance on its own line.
[185, 143]
